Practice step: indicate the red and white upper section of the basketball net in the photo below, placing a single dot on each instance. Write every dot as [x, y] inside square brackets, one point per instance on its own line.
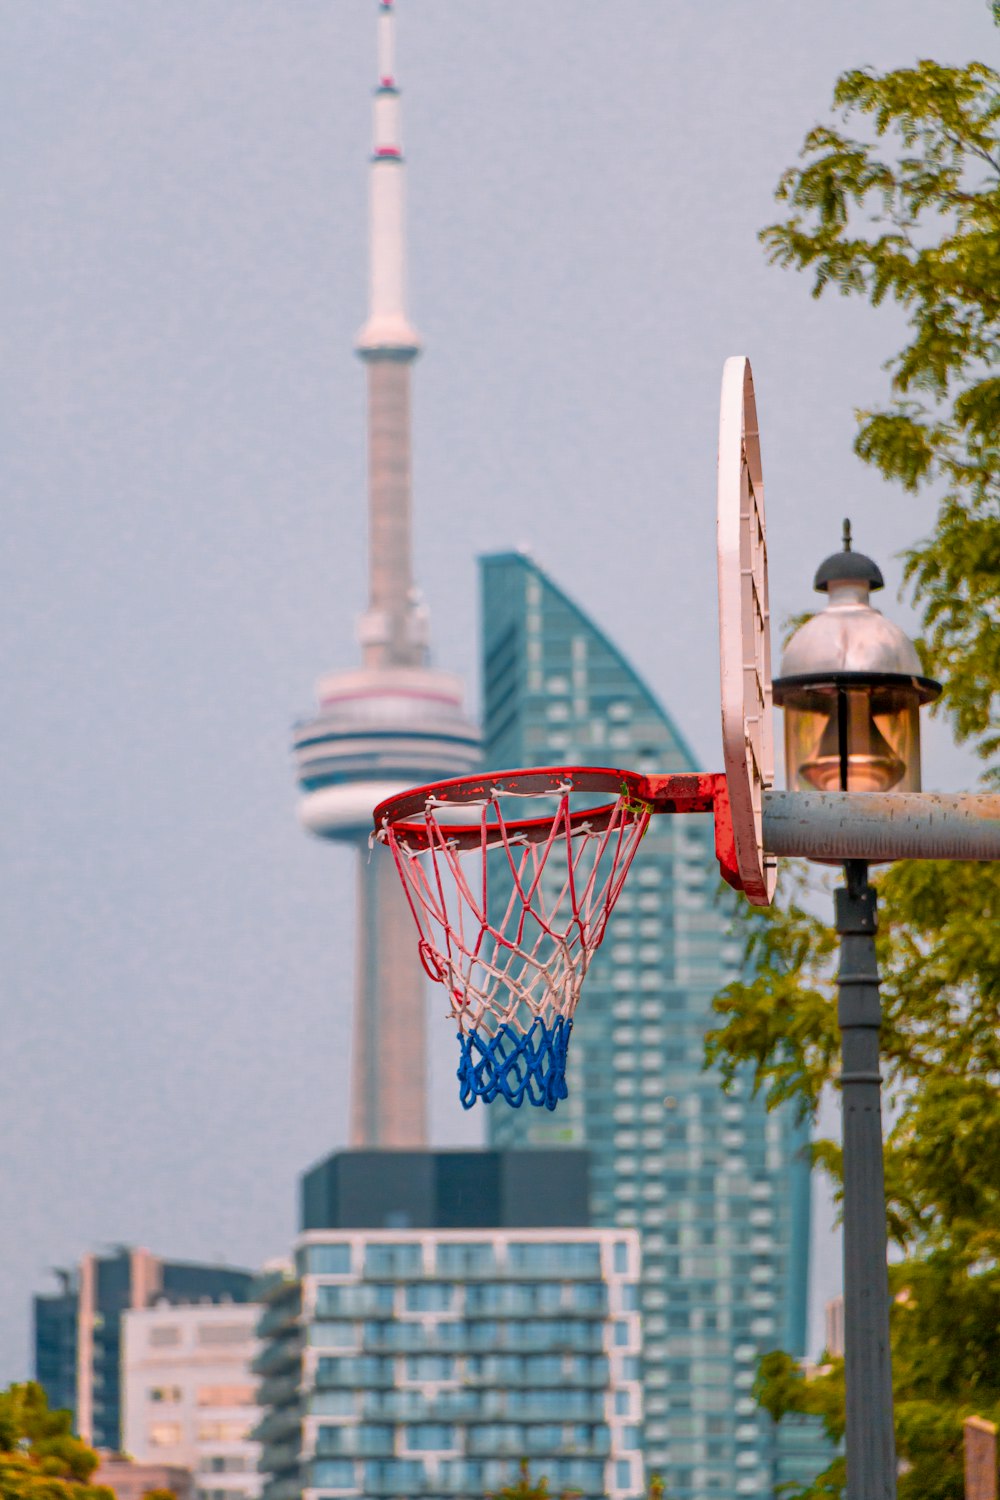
[510, 925]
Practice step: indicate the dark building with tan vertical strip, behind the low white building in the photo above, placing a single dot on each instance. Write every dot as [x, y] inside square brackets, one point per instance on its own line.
[79, 1330]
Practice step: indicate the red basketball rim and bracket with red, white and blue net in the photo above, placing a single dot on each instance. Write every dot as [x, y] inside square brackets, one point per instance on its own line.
[510, 910]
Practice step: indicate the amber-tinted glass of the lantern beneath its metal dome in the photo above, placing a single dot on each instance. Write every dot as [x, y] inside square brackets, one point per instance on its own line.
[842, 739]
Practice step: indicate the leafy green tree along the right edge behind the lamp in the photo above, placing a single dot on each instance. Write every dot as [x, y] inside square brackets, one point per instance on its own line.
[911, 211]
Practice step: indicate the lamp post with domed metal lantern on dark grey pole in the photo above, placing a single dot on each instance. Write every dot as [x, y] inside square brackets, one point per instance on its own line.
[851, 688]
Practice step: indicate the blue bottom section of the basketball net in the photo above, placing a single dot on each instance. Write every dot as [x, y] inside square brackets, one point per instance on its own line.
[515, 1066]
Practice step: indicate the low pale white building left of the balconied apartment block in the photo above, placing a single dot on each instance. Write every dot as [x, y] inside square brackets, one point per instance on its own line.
[190, 1397]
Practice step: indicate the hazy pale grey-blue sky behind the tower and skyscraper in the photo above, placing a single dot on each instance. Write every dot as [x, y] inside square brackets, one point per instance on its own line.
[184, 271]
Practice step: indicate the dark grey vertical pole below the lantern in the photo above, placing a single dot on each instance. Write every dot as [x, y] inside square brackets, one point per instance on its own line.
[872, 1463]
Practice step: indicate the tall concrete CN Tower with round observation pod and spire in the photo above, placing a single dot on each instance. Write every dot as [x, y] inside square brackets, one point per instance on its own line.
[394, 722]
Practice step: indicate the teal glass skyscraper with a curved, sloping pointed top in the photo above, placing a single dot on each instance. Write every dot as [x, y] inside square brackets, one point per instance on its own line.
[717, 1187]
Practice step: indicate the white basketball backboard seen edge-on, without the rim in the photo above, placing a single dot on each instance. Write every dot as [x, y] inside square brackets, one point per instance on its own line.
[744, 620]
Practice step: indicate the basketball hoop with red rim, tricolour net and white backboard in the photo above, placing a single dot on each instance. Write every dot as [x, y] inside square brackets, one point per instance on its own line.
[512, 910]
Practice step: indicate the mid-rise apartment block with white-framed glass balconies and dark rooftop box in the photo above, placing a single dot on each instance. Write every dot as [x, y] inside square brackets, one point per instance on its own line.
[431, 1334]
